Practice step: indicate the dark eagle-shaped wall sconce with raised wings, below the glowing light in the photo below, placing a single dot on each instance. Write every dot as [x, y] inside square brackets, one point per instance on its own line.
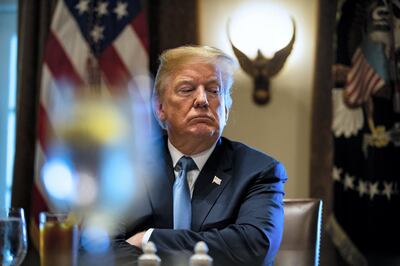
[262, 69]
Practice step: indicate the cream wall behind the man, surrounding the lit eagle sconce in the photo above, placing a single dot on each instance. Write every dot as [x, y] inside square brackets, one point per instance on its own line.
[281, 128]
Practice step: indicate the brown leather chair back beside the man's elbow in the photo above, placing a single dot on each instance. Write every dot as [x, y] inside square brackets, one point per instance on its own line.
[302, 232]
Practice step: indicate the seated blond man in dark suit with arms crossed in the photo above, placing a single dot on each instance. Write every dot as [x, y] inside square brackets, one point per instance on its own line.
[210, 189]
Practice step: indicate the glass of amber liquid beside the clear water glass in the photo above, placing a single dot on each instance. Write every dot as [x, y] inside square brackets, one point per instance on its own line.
[58, 240]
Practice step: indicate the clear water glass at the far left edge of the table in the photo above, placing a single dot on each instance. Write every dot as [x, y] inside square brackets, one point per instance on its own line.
[13, 239]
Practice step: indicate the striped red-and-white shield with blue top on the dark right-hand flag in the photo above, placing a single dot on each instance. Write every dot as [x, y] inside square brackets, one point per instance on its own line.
[368, 73]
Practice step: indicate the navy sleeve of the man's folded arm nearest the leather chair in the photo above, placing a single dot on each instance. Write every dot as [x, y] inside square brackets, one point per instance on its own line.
[252, 239]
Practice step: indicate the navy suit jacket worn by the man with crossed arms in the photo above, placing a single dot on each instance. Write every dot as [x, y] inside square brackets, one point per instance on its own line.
[240, 219]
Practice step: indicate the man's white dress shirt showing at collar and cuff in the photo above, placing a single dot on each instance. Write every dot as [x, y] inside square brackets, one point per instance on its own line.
[200, 159]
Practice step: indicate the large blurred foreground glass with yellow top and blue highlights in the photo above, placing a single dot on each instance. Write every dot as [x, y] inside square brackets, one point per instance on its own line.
[96, 164]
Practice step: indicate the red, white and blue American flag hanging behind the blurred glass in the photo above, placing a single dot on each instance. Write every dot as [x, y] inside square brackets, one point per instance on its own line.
[89, 42]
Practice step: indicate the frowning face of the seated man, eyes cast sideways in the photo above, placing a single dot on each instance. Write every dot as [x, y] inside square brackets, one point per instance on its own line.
[192, 104]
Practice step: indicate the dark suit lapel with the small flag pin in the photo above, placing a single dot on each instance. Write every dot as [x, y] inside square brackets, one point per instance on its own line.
[207, 190]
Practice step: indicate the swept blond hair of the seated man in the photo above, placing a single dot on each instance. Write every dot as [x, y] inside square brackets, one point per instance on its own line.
[173, 59]
